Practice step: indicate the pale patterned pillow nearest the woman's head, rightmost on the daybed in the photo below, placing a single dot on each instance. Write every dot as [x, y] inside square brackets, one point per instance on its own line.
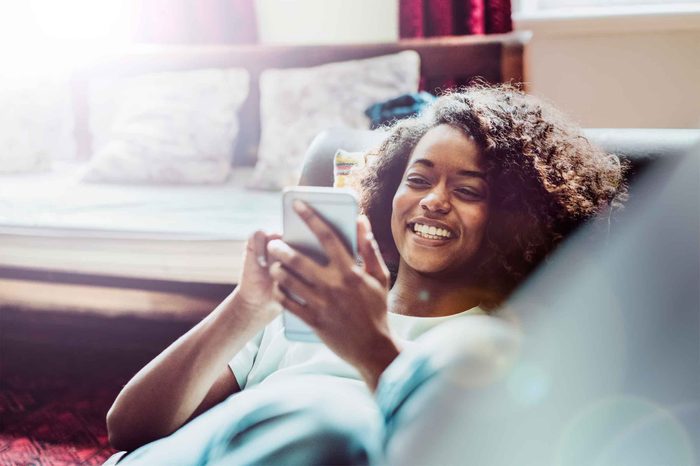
[296, 104]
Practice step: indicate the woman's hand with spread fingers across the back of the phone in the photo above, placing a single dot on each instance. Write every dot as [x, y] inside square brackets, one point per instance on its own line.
[345, 303]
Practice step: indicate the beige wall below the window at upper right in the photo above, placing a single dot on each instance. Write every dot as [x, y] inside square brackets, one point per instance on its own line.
[621, 73]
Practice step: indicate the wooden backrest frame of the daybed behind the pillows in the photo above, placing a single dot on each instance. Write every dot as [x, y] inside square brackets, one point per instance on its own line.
[444, 61]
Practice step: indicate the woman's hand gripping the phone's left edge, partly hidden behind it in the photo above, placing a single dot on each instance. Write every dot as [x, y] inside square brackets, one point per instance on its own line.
[255, 285]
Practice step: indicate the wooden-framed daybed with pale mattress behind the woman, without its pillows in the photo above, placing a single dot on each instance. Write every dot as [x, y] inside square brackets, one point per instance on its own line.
[119, 249]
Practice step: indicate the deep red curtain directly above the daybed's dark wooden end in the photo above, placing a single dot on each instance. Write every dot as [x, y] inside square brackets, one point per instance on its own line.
[430, 18]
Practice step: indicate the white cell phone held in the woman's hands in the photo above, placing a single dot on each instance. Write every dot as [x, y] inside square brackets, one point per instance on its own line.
[338, 207]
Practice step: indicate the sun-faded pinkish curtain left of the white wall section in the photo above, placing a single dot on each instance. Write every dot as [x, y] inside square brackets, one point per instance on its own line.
[200, 22]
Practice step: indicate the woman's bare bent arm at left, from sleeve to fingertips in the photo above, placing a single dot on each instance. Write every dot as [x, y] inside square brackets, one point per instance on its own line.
[192, 374]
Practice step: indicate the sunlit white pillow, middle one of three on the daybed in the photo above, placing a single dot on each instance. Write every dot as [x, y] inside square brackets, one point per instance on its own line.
[172, 127]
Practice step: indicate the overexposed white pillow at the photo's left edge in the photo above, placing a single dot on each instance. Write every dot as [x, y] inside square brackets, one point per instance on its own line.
[35, 123]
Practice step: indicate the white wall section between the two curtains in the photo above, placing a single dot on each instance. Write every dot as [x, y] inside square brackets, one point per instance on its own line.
[327, 21]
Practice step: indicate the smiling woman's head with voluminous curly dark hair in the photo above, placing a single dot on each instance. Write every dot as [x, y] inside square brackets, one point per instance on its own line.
[506, 175]
